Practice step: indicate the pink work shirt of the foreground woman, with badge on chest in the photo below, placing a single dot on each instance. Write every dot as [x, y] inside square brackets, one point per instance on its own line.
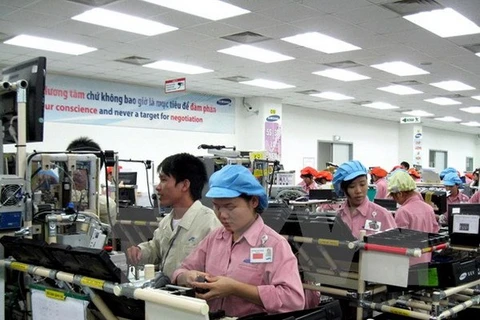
[278, 282]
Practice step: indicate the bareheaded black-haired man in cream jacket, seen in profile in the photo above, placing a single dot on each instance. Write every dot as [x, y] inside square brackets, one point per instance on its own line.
[182, 178]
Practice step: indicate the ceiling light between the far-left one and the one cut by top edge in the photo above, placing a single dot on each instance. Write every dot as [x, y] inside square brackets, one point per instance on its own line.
[121, 21]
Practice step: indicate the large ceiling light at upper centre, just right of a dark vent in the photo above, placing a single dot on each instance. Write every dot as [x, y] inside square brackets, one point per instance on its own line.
[321, 42]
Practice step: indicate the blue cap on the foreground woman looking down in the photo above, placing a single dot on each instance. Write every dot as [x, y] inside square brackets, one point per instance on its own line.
[232, 181]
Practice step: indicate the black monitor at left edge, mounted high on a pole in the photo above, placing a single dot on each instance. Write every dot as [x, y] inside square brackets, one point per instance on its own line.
[33, 71]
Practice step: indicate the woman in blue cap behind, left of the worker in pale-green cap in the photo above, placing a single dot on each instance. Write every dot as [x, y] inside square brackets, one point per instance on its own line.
[357, 211]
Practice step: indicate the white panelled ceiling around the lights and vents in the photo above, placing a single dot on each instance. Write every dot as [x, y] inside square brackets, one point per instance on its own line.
[382, 34]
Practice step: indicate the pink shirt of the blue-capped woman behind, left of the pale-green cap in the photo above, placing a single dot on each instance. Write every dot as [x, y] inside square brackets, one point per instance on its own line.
[366, 211]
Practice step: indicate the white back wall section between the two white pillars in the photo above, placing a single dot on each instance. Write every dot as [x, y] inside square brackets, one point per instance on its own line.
[375, 142]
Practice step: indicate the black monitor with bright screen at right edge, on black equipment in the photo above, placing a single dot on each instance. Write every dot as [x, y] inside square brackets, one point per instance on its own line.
[464, 224]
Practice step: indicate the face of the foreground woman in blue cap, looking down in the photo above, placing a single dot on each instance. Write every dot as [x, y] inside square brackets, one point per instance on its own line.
[235, 214]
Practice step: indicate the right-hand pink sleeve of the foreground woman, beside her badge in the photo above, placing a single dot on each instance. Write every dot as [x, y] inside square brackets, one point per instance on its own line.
[285, 291]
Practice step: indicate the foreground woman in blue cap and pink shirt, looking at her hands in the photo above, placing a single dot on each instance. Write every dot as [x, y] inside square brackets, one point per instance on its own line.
[248, 267]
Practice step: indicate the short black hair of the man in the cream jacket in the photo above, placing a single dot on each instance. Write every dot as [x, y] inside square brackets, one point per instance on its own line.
[184, 166]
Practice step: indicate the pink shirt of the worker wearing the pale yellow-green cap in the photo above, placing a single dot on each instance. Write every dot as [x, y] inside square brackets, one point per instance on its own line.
[415, 214]
